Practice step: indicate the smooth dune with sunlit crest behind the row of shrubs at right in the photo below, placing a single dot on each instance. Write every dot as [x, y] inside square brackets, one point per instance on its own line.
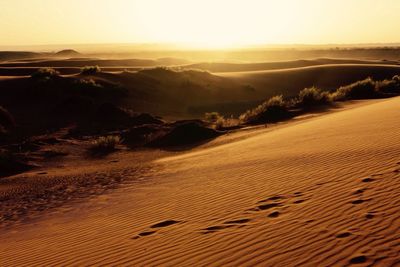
[328, 77]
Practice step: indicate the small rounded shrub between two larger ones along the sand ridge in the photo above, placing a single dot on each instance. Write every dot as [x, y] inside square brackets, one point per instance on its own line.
[313, 96]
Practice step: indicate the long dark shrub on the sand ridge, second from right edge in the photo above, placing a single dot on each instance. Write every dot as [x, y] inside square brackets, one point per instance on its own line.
[365, 89]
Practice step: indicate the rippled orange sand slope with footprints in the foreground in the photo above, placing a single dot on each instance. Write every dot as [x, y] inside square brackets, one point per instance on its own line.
[324, 192]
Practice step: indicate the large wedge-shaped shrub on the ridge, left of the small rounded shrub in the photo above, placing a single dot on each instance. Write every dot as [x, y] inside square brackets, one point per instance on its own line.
[273, 110]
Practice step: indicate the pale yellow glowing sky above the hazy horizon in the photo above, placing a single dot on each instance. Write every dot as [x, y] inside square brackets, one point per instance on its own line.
[202, 23]
